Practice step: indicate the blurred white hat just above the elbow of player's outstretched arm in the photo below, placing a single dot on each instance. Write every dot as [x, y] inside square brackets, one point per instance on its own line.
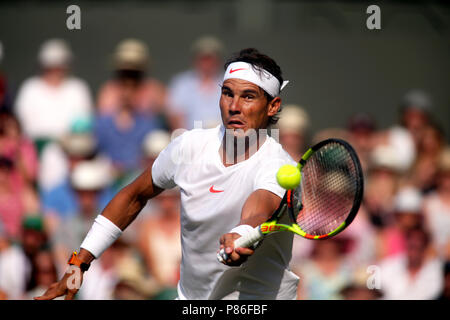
[91, 175]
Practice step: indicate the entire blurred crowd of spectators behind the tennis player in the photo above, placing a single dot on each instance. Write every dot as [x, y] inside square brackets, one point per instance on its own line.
[65, 152]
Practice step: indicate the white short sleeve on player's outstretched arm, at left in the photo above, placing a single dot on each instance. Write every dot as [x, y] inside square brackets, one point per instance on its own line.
[166, 164]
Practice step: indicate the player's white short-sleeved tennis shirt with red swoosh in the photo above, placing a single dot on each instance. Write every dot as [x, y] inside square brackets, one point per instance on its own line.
[212, 197]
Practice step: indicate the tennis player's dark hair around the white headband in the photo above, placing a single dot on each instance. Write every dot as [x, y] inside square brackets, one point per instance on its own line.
[259, 62]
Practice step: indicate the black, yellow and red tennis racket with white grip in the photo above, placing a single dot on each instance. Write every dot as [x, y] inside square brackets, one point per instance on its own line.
[326, 201]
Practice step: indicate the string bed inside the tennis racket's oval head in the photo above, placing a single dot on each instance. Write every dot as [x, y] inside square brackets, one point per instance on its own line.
[329, 182]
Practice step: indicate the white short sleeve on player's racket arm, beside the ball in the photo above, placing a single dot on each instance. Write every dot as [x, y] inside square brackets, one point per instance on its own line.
[266, 175]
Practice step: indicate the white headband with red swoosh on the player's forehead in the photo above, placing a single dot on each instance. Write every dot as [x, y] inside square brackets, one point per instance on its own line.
[265, 80]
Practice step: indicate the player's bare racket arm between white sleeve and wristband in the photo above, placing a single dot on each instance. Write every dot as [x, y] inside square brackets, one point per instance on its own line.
[259, 207]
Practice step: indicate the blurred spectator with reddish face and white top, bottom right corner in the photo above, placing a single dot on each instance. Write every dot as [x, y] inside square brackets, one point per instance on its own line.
[414, 275]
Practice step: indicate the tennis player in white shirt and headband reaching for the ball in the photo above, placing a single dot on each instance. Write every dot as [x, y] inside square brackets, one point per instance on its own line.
[227, 178]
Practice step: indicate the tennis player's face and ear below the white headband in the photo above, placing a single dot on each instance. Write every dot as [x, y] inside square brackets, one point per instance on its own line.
[244, 105]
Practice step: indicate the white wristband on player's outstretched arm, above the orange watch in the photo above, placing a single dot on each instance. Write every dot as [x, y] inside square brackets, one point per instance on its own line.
[103, 233]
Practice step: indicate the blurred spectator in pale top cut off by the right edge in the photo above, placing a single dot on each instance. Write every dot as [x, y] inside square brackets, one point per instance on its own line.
[437, 207]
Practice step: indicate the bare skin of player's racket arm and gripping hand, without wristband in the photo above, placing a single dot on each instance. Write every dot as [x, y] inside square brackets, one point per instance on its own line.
[258, 207]
